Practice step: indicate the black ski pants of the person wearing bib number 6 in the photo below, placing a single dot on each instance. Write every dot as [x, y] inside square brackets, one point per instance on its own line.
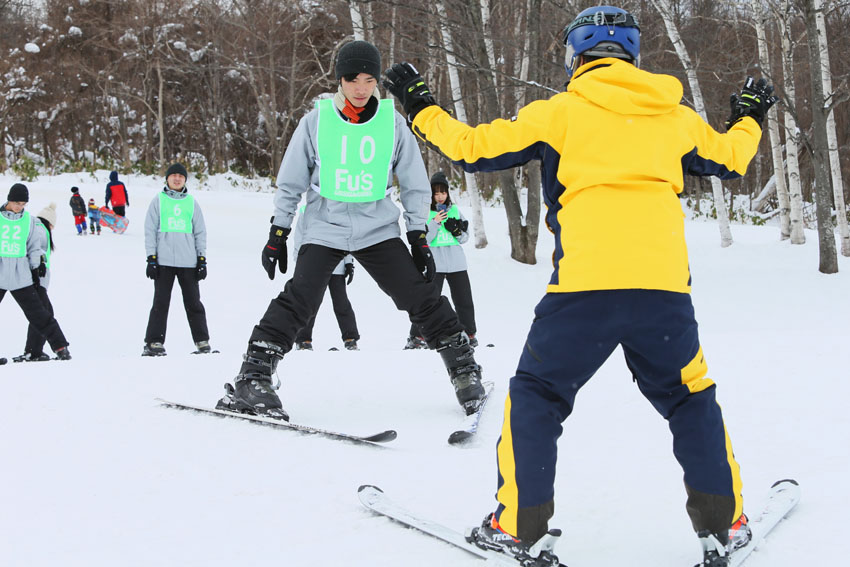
[195, 311]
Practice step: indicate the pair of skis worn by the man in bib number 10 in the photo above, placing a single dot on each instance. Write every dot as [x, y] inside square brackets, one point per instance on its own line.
[460, 436]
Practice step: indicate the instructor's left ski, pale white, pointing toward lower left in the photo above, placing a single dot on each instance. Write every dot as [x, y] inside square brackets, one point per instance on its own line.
[375, 500]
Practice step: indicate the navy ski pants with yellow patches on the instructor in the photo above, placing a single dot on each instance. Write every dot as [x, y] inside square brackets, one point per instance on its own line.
[571, 337]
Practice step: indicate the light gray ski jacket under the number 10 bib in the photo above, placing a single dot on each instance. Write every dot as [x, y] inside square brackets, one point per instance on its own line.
[350, 226]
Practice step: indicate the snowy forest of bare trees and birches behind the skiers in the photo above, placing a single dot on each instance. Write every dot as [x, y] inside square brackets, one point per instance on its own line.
[220, 85]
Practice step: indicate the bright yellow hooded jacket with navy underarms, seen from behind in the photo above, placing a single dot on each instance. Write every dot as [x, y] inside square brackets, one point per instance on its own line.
[614, 150]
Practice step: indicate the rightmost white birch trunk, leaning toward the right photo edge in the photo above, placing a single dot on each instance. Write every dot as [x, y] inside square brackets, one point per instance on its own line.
[831, 137]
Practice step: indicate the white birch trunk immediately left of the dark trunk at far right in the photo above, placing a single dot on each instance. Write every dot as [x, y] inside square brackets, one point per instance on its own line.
[792, 132]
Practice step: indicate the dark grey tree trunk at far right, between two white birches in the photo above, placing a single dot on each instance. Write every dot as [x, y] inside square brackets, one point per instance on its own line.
[819, 147]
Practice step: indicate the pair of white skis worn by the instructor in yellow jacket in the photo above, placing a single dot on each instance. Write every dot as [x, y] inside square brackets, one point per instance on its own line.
[781, 499]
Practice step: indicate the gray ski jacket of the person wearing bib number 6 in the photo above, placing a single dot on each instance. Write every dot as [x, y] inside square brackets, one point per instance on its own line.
[175, 249]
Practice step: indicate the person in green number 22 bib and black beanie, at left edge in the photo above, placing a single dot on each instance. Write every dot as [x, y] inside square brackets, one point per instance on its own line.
[22, 263]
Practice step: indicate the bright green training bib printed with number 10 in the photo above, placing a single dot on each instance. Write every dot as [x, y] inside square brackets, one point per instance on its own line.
[355, 159]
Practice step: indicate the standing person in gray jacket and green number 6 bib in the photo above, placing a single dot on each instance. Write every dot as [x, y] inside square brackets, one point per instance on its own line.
[176, 243]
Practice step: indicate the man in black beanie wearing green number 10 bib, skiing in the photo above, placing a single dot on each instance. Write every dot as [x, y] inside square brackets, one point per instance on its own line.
[343, 156]
